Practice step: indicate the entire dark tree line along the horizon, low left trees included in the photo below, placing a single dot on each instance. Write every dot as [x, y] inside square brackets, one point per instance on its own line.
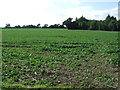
[109, 24]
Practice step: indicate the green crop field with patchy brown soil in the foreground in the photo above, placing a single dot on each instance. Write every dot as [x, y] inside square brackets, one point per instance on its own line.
[59, 58]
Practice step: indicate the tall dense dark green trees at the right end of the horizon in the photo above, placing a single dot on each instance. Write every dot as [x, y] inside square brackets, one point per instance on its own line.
[109, 24]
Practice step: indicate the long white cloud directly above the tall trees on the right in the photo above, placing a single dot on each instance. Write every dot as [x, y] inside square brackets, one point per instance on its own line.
[87, 12]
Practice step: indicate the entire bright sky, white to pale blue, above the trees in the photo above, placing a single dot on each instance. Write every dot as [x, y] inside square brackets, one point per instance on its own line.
[26, 12]
